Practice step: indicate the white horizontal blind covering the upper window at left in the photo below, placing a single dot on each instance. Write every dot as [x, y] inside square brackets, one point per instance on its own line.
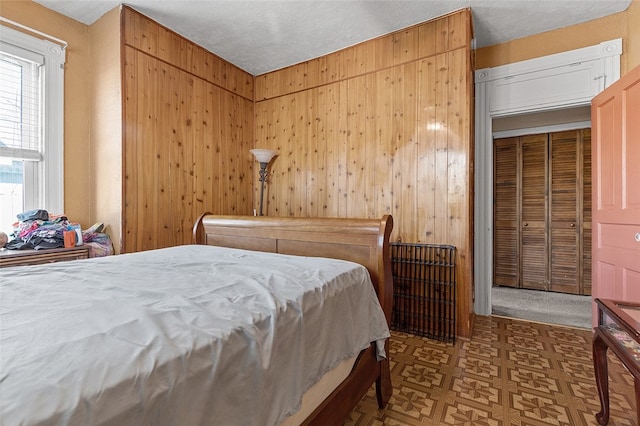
[20, 103]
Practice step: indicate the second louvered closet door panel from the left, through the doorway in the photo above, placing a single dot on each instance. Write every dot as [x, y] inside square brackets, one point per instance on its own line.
[533, 184]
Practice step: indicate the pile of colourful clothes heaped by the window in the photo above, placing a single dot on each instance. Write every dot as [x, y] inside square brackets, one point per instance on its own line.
[38, 230]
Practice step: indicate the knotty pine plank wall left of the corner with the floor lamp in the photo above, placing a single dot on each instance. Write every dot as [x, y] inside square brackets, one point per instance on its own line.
[188, 128]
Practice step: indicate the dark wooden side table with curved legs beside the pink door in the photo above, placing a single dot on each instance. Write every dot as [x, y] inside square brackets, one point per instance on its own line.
[619, 329]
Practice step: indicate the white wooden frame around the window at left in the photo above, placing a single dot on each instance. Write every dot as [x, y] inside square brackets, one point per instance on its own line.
[44, 180]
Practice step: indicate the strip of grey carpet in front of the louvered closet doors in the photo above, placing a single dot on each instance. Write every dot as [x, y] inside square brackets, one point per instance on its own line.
[542, 306]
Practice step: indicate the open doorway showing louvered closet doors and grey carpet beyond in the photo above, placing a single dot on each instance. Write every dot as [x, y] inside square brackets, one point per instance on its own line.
[542, 217]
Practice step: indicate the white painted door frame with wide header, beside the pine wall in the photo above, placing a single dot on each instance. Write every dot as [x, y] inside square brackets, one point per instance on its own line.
[563, 80]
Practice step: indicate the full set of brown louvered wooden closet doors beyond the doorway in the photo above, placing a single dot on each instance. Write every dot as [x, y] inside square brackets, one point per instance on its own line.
[542, 212]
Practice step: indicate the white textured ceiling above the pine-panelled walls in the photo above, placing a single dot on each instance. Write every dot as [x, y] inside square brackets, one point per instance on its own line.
[264, 35]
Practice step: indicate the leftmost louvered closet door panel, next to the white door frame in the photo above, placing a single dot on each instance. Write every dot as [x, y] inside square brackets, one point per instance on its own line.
[506, 213]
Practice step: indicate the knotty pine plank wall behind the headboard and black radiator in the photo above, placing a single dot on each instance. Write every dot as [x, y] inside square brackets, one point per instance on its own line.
[381, 127]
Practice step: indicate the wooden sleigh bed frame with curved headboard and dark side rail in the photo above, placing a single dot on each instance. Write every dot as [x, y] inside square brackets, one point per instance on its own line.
[365, 241]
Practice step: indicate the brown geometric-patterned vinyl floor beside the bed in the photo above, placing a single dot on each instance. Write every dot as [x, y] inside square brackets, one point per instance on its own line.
[510, 372]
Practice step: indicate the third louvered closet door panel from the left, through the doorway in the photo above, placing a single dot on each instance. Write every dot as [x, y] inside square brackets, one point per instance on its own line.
[564, 224]
